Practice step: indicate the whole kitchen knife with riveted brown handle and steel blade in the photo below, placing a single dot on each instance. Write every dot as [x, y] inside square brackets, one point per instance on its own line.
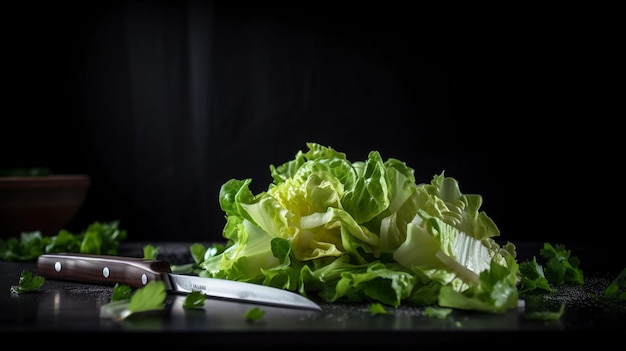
[137, 272]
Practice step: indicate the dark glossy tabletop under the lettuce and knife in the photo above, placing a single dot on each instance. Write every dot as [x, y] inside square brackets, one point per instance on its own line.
[60, 307]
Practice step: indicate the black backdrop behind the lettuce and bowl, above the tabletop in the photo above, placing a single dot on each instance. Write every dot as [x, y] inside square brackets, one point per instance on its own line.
[162, 102]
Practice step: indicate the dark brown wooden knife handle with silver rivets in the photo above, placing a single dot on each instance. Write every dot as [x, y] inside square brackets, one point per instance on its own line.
[103, 269]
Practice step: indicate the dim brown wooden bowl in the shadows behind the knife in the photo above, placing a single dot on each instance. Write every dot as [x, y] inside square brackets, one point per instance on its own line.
[40, 203]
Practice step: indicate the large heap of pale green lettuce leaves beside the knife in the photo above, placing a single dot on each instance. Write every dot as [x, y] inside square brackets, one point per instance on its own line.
[364, 231]
